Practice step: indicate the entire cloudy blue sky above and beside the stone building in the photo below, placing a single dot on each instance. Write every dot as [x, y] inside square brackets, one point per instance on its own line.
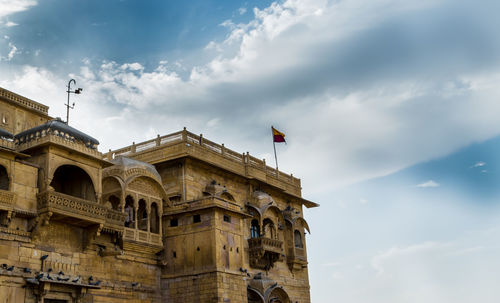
[389, 109]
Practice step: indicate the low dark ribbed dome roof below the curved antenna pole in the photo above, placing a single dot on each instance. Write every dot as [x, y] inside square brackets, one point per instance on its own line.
[62, 128]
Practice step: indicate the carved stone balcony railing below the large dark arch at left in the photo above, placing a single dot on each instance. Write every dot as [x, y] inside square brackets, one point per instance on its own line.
[72, 210]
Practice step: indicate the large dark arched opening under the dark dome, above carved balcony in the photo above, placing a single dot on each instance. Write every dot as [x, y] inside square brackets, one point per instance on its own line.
[74, 181]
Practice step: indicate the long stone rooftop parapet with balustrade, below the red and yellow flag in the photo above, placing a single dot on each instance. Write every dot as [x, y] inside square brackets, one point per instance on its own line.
[184, 143]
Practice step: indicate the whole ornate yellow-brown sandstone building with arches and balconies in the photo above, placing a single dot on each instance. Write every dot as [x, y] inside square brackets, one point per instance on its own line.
[174, 219]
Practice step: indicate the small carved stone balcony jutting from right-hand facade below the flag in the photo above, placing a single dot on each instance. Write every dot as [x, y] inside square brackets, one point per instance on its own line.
[264, 252]
